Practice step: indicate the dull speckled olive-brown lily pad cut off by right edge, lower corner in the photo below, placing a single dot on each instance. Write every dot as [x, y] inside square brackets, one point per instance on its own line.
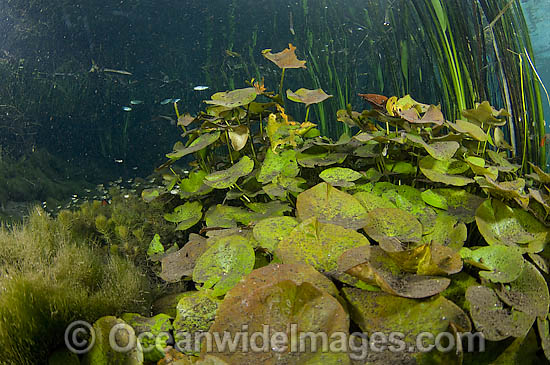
[528, 293]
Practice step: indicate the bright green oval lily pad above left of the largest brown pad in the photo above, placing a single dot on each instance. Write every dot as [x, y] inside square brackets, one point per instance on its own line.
[224, 264]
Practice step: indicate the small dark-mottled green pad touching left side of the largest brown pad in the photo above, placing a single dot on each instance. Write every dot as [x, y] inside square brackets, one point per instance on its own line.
[195, 313]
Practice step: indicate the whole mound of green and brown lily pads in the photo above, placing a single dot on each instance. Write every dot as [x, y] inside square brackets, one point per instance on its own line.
[411, 223]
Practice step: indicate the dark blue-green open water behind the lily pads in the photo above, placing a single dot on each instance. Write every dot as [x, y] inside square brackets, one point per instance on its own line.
[68, 69]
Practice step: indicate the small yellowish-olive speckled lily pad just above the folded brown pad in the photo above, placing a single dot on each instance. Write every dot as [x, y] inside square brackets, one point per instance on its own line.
[393, 222]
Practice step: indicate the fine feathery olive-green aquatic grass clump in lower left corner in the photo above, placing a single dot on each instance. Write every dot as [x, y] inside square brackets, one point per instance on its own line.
[48, 280]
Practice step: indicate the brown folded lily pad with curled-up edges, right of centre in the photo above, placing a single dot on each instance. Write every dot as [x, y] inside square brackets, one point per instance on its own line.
[374, 266]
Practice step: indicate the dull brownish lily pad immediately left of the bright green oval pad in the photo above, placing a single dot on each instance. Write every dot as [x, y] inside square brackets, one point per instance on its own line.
[182, 262]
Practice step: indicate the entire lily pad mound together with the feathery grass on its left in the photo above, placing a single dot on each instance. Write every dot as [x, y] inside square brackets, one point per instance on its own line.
[410, 223]
